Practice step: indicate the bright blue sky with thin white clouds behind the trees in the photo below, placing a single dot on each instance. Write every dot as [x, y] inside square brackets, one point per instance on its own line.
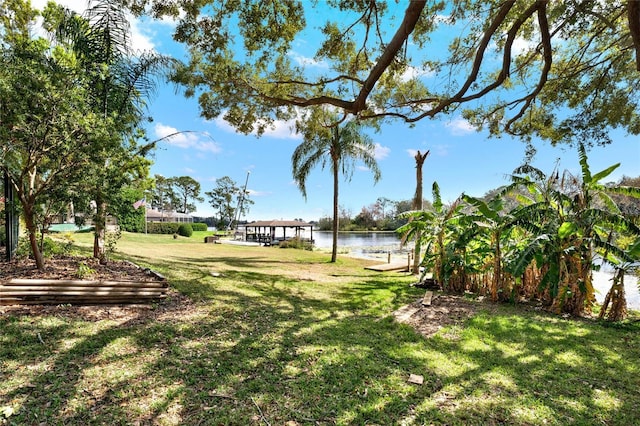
[461, 160]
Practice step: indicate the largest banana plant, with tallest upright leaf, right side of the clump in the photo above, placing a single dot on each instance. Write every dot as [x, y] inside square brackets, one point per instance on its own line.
[566, 217]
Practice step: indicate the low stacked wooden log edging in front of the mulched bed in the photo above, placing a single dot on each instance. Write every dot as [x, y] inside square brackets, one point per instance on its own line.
[50, 291]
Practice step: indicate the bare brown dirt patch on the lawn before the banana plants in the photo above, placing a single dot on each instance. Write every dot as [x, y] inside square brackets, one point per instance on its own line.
[445, 310]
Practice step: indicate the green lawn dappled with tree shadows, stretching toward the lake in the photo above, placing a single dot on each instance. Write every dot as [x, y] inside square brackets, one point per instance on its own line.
[283, 337]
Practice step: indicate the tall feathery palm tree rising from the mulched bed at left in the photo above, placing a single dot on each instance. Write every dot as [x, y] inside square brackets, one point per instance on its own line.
[122, 81]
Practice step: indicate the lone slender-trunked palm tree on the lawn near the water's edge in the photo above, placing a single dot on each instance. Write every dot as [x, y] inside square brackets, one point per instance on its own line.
[340, 148]
